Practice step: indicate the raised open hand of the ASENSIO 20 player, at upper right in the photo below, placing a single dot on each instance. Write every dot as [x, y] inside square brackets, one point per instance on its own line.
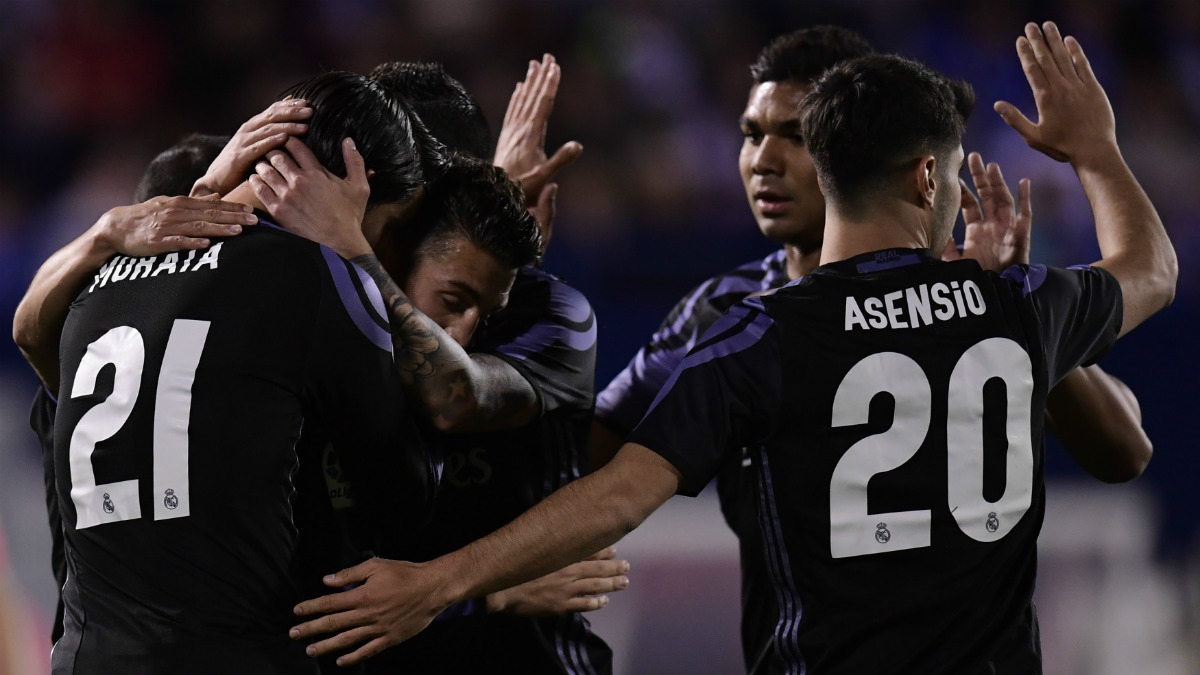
[1076, 121]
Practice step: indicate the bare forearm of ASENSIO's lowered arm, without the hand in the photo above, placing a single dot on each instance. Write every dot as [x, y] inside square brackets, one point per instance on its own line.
[587, 515]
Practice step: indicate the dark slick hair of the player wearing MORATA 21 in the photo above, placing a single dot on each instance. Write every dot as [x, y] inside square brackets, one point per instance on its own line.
[350, 105]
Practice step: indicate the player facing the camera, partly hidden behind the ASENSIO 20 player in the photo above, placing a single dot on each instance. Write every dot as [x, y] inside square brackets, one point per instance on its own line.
[1094, 414]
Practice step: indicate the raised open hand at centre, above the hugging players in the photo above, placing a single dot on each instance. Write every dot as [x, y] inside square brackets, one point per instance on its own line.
[521, 147]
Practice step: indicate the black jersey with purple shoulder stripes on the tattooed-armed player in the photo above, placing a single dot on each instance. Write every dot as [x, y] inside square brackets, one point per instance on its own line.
[548, 333]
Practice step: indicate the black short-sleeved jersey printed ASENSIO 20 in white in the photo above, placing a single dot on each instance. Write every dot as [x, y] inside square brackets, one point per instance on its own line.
[896, 404]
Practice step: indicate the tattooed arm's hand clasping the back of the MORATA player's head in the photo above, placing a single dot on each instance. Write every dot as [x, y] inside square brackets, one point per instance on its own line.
[295, 183]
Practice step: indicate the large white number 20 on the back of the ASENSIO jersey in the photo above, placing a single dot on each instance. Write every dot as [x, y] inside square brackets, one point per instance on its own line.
[853, 530]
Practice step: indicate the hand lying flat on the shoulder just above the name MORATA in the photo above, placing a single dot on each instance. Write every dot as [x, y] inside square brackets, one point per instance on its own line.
[171, 224]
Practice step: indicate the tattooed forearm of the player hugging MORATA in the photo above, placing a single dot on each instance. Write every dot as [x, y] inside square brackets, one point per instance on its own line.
[459, 391]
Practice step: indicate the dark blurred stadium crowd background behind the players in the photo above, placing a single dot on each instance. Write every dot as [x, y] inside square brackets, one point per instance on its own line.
[653, 89]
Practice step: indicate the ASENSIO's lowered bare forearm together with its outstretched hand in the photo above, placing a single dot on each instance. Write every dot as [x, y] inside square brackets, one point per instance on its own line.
[395, 600]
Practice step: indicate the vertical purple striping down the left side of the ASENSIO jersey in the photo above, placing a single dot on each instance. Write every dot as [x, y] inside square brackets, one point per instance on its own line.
[791, 610]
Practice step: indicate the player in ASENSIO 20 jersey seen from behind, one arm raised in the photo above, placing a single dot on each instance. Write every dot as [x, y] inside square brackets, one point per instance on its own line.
[898, 399]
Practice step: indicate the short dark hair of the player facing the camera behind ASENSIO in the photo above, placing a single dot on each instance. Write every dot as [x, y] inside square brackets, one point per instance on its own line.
[805, 55]
